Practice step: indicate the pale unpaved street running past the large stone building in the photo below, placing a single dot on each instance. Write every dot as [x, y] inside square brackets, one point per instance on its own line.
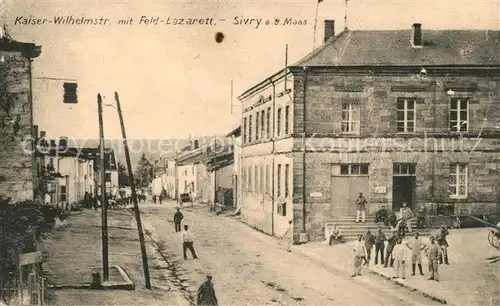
[249, 268]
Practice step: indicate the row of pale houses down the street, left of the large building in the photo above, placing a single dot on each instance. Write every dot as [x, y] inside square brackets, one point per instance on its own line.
[203, 171]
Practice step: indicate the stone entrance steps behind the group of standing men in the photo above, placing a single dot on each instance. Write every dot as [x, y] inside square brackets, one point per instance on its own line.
[350, 229]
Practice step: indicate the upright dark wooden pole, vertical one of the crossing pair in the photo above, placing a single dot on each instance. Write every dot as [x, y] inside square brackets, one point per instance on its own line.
[104, 204]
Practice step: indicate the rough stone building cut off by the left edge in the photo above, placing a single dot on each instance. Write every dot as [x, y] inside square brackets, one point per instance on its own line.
[17, 161]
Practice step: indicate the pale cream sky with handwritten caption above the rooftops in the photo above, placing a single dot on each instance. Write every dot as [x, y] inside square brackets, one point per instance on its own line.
[174, 82]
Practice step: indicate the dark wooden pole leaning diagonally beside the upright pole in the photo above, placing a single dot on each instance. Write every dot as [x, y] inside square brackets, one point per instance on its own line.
[134, 197]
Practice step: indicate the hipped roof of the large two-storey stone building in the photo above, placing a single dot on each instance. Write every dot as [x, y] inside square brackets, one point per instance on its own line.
[393, 48]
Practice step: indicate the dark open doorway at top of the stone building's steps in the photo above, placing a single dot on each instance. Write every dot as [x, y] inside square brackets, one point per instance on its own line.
[403, 186]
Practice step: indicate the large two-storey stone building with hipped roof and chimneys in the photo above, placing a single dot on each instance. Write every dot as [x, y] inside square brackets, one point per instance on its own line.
[401, 116]
